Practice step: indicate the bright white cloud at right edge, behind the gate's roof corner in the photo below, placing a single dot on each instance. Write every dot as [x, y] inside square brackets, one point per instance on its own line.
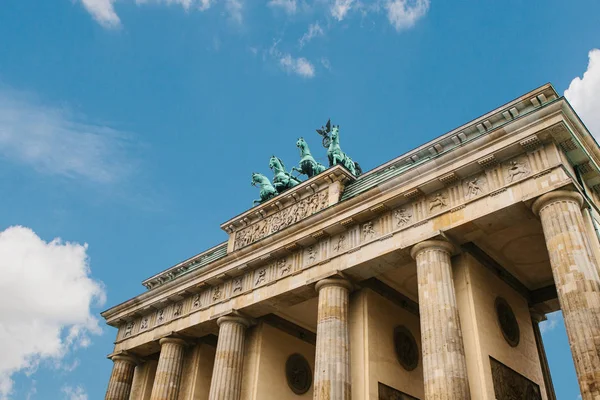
[584, 94]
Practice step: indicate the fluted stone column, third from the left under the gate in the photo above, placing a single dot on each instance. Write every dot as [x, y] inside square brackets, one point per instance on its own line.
[226, 383]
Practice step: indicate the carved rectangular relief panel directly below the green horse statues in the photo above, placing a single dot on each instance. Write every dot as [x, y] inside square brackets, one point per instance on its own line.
[282, 219]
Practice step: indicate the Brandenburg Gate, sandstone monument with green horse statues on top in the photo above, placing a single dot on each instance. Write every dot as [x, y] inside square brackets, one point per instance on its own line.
[424, 278]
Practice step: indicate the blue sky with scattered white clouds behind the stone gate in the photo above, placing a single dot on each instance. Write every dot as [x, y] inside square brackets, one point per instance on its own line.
[129, 130]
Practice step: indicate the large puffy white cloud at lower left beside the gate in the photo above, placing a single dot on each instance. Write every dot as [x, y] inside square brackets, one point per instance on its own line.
[46, 292]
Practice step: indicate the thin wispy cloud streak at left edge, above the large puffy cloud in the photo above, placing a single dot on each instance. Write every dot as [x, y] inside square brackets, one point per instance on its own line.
[54, 141]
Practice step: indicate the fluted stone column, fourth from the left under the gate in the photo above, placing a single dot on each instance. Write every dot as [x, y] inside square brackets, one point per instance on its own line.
[332, 364]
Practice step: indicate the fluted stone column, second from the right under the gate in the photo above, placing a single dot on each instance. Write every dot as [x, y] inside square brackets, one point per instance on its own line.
[444, 364]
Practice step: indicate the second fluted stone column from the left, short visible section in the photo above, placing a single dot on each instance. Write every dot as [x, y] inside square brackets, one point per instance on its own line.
[168, 371]
